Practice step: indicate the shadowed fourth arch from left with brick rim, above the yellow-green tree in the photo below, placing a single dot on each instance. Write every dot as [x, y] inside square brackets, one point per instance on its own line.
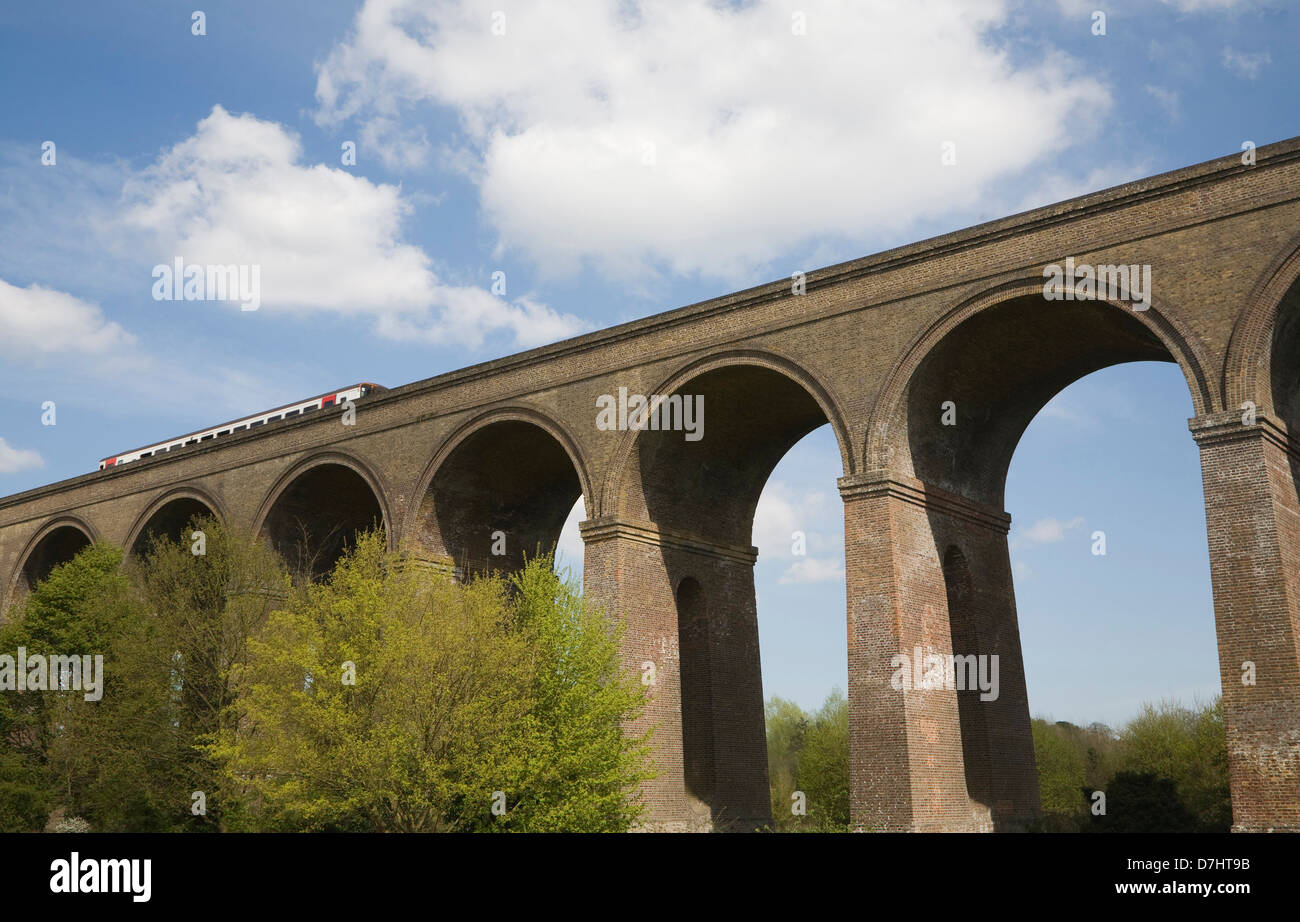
[499, 490]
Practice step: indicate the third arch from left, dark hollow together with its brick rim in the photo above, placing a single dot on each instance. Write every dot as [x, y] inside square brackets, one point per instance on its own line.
[317, 509]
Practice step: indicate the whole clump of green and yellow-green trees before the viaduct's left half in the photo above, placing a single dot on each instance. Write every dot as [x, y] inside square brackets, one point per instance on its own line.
[223, 678]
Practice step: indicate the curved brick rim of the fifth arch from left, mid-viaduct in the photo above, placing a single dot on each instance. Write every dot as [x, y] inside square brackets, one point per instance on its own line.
[820, 391]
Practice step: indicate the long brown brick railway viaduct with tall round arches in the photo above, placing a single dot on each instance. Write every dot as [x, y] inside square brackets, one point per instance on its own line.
[876, 349]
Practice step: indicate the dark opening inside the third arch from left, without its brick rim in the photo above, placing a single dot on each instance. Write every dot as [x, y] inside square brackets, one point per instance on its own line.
[318, 518]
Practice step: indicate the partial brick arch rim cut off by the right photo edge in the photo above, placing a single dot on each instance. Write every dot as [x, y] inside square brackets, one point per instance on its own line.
[1249, 363]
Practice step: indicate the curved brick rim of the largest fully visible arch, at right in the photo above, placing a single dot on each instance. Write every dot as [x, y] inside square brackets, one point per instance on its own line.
[887, 428]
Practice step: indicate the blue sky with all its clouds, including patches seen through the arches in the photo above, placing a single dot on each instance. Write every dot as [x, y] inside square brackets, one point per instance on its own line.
[617, 161]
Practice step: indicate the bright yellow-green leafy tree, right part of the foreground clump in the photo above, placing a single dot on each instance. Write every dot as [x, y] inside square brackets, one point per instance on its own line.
[391, 700]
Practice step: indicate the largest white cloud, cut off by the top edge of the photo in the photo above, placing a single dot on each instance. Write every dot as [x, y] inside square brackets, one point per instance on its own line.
[695, 137]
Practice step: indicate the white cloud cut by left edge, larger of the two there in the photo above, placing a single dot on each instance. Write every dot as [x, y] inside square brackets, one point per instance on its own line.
[41, 322]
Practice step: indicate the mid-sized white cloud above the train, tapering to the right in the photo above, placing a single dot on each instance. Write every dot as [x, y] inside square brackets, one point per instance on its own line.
[324, 239]
